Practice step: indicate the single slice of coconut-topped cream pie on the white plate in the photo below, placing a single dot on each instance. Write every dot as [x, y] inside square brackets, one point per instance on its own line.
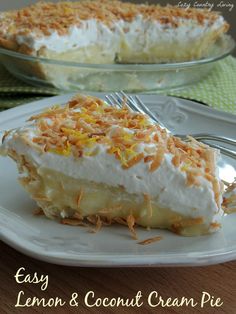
[88, 161]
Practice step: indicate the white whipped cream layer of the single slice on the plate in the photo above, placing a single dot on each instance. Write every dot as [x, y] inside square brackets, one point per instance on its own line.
[167, 184]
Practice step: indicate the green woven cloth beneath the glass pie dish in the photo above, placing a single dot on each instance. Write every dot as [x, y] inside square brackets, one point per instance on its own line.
[217, 90]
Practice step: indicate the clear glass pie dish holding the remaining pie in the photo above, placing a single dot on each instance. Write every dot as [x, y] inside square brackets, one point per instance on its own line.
[73, 76]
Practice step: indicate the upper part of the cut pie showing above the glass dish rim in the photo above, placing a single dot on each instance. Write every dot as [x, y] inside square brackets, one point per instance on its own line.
[110, 31]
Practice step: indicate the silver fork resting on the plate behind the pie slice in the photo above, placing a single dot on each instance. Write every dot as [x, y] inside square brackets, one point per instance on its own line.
[136, 104]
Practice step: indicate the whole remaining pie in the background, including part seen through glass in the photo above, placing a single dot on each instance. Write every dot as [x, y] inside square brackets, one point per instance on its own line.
[78, 38]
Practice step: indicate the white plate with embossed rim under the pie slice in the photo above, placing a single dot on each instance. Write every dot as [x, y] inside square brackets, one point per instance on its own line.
[47, 240]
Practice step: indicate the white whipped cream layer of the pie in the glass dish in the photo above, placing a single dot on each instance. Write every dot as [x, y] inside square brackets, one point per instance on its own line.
[140, 34]
